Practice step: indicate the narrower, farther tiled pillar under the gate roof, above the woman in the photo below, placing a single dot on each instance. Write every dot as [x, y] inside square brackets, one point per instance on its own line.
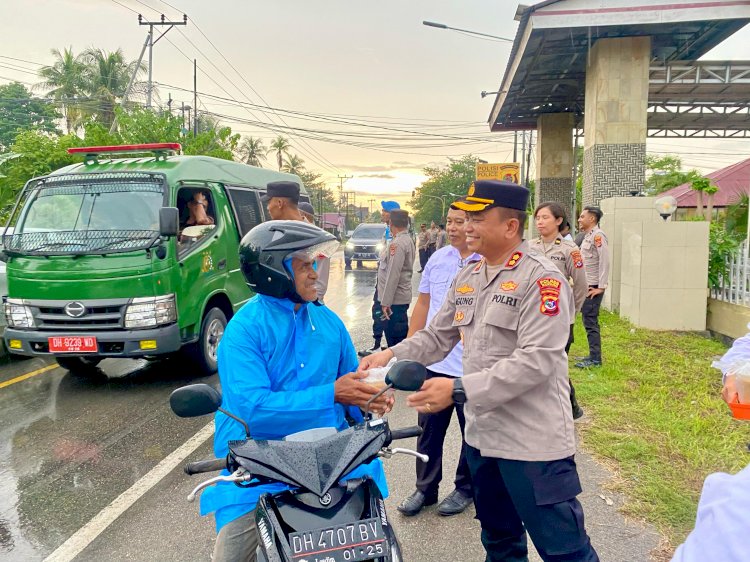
[554, 160]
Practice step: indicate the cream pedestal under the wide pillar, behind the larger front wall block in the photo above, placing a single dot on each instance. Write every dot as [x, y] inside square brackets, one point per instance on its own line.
[617, 211]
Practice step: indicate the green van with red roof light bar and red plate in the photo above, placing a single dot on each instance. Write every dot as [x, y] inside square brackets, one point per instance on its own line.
[116, 257]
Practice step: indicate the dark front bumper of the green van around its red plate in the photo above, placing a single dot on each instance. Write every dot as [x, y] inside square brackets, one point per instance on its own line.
[122, 343]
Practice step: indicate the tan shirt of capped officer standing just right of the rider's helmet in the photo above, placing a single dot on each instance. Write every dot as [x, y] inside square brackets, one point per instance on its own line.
[395, 270]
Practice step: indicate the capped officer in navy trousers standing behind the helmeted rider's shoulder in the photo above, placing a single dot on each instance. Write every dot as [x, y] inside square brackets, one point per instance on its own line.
[394, 279]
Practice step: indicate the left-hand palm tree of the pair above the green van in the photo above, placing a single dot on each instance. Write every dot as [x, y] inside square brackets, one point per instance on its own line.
[64, 81]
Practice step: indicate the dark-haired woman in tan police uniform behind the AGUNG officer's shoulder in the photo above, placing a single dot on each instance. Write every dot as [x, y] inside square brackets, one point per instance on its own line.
[550, 219]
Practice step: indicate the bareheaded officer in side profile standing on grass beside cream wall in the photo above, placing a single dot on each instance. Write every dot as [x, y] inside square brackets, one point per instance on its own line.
[595, 251]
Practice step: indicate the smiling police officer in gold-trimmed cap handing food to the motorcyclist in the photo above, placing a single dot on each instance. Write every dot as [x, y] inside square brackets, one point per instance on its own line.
[512, 310]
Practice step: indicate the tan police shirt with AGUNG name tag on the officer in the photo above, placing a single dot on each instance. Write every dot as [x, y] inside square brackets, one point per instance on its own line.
[514, 328]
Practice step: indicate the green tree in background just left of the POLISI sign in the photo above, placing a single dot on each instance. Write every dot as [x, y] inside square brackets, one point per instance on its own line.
[442, 187]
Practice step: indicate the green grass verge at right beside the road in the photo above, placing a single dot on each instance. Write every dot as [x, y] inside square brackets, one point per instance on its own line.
[655, 409]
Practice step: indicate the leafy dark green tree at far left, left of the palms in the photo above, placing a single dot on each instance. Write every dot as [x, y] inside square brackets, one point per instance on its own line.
[19, 111]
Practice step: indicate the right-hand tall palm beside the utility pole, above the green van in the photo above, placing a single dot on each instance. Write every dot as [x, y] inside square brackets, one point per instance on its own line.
[107, 77]
